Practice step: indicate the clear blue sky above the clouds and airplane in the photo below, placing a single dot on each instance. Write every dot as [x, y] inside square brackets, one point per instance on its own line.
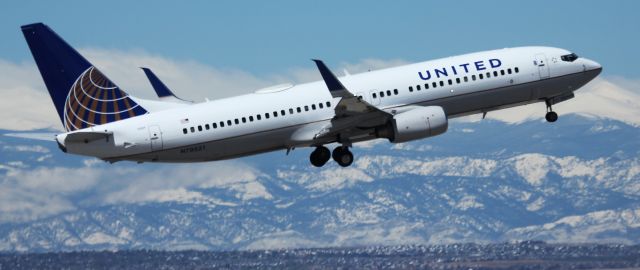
[269, 37]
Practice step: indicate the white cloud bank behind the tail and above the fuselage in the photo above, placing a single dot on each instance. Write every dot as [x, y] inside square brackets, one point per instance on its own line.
[26, 104]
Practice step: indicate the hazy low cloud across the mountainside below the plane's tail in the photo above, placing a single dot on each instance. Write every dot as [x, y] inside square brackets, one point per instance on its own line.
[28, 193]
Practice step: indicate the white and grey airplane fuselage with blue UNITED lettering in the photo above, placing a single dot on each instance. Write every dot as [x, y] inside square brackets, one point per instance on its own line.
[524, 75]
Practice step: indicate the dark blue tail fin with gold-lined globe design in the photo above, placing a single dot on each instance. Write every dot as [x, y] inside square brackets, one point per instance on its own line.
[83, 96]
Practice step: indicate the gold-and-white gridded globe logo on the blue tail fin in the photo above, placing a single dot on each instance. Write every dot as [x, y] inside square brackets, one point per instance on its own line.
[94, 100]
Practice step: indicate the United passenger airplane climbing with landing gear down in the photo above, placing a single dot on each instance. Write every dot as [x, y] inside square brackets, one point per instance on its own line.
[400, 104]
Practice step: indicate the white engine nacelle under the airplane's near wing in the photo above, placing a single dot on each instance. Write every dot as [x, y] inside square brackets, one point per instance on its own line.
[418, 123]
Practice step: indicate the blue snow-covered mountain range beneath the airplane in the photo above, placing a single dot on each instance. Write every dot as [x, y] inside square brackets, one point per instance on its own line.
[514, 178]
